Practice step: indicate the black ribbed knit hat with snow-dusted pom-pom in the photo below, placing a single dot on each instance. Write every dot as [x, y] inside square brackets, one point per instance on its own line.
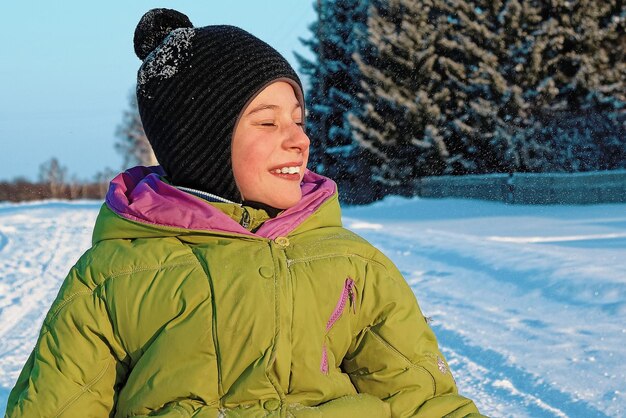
[191, 89]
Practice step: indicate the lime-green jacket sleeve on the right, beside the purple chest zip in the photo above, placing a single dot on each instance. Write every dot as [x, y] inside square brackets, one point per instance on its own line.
[395, 355]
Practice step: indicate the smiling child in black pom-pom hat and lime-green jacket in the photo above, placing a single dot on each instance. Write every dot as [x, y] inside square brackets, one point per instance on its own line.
[223, 283]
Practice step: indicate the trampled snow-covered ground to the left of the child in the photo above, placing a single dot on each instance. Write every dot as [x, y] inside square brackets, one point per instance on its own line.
[39, 242]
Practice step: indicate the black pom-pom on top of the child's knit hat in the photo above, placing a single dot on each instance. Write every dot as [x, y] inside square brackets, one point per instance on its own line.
[154, 27]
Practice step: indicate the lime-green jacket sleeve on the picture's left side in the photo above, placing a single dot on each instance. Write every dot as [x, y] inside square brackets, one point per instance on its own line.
[74, 368]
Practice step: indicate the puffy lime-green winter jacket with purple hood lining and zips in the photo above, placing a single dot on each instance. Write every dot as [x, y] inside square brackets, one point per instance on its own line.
[178, 311]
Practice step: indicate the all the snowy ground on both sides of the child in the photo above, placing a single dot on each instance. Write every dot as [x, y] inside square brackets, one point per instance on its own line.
[528, 302]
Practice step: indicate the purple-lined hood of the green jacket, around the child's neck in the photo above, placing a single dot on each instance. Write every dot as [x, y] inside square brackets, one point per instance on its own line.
[155, 208]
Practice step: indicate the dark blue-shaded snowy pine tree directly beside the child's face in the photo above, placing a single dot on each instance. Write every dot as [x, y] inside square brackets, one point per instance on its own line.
[333, 80]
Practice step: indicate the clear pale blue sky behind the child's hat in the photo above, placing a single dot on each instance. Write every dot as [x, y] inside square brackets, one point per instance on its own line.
[67, 69]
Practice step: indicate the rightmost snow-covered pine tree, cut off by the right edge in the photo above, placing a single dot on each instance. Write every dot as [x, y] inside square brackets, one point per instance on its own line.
[566, 59]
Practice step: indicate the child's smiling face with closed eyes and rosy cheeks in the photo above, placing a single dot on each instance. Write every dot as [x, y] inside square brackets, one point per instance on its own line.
[270, 149]
